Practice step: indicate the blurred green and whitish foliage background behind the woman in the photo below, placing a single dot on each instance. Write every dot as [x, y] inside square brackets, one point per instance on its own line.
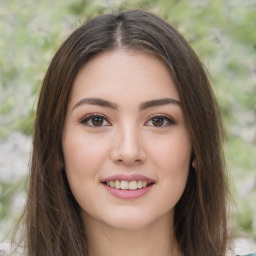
[223, 33]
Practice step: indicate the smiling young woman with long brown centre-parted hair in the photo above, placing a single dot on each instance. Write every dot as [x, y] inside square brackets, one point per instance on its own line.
[127, 152]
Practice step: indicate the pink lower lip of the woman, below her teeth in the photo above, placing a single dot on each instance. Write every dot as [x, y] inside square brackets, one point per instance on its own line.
[128, 194]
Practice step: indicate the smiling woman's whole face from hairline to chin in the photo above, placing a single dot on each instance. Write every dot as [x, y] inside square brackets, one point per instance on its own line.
[126, 145]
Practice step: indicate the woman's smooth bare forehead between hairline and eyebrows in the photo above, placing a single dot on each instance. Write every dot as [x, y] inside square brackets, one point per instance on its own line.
[124, 75]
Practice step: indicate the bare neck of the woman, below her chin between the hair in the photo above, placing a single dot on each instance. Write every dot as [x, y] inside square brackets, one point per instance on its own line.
[155, 239]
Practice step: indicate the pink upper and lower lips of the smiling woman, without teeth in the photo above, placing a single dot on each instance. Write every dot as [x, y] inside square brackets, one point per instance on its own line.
[128, 194]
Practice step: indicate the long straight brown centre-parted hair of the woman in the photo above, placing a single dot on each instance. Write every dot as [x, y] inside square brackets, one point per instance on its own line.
[52, 220]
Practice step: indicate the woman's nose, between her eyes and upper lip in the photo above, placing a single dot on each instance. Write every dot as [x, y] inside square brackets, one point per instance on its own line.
[128, 148]
